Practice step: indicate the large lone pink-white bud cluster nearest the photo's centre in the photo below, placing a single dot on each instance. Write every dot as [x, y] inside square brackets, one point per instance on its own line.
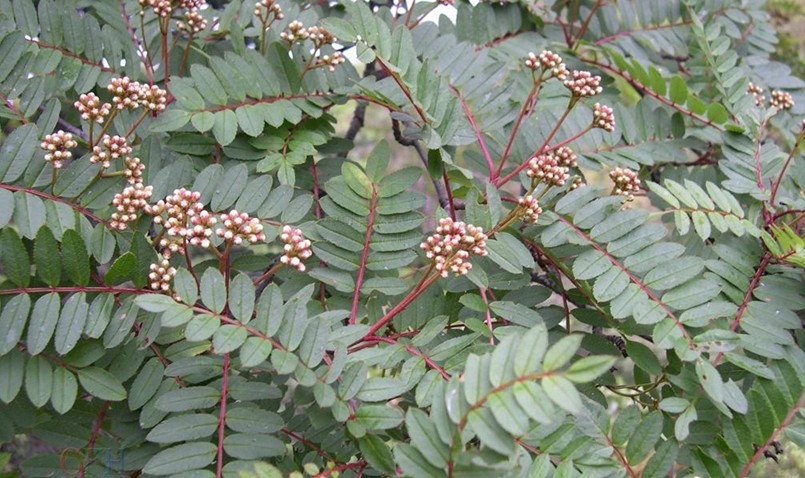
[452, 244]
